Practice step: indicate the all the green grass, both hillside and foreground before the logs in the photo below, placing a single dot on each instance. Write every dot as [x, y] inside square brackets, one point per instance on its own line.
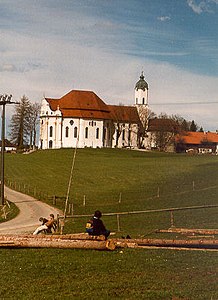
[104, 176]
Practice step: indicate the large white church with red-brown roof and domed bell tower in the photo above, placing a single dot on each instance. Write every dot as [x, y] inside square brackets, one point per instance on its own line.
[81, 119]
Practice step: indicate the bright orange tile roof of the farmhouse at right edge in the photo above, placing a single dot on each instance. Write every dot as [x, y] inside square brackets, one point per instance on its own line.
[196, 138]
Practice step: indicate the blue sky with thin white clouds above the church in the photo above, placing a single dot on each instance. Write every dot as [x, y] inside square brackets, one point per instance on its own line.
[50, 47]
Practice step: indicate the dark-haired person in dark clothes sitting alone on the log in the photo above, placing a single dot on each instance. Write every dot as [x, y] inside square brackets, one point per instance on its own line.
[96, 227]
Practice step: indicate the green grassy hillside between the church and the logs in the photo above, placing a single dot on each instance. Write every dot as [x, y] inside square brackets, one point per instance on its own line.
[115, 180]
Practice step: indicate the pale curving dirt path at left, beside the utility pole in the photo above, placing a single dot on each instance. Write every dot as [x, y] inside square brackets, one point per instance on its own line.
[30, 211]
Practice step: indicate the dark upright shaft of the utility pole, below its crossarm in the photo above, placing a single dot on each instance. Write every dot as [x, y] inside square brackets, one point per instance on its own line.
[2, 156]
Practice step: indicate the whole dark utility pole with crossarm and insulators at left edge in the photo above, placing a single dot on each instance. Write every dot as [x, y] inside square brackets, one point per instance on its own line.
[4, 99]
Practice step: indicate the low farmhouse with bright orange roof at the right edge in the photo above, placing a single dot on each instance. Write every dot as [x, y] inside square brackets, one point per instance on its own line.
[197, 142]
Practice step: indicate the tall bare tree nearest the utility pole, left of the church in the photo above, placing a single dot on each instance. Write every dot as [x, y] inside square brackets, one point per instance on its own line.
[19, 126]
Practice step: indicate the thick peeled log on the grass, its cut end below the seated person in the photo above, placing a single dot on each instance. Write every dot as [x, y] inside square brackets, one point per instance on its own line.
[49, 242]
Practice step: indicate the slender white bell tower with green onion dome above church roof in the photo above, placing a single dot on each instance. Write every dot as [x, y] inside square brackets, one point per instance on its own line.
[141, 91]
